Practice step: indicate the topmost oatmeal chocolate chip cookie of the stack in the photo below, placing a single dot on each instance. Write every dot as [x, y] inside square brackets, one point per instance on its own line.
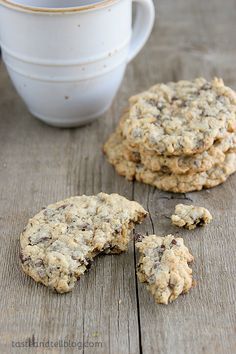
[182, 118]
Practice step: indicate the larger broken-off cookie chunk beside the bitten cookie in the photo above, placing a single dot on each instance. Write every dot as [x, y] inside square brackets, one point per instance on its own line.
[163, 266]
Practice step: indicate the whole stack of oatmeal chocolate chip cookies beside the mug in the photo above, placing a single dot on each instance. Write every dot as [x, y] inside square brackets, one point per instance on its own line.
[178, 137]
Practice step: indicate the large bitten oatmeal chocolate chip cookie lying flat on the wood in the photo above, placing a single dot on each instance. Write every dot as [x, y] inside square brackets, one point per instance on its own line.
[60, 242]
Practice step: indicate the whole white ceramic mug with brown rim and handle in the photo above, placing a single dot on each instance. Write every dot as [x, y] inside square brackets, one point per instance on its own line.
[67, 58]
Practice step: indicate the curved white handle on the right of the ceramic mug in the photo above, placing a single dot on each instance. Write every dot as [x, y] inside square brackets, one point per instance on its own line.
[142, 28]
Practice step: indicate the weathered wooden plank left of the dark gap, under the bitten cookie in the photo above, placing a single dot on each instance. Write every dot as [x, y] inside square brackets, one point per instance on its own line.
[39, 165]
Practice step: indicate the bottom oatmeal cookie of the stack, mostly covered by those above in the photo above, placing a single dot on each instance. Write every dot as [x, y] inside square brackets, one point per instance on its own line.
[167, 181]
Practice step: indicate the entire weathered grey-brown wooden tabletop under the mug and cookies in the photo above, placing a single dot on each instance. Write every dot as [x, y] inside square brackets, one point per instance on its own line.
[109, 311]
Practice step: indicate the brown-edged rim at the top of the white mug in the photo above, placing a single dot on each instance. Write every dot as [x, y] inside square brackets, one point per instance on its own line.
[60, 10]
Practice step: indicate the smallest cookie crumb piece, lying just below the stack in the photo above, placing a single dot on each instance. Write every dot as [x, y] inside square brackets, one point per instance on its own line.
[190, 216]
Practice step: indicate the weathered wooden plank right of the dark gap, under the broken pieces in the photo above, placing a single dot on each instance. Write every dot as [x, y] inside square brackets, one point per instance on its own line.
[193, 38]
